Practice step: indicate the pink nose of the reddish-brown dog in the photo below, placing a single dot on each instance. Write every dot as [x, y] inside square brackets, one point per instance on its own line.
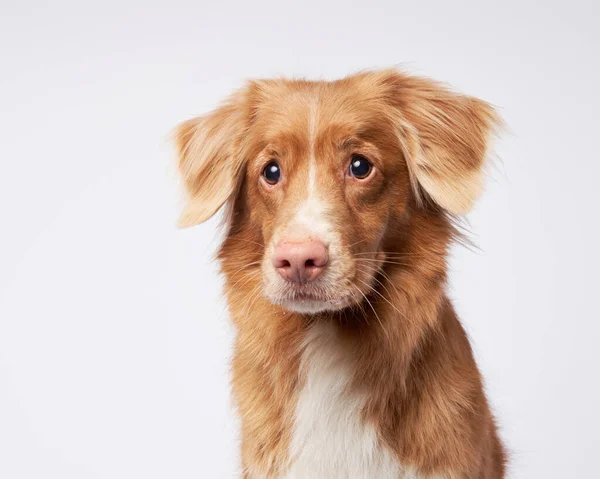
[300, 262]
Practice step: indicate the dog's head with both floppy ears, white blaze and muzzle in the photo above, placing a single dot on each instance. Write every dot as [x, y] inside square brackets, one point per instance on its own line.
[317, 175]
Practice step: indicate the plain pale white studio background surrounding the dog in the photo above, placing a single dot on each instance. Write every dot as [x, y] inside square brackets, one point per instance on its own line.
[114, 342]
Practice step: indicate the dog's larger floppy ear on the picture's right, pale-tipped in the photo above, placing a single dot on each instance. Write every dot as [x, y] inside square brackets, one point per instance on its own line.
[445, 138]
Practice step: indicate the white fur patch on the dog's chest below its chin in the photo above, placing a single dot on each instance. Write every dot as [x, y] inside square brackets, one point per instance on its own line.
[330, 440]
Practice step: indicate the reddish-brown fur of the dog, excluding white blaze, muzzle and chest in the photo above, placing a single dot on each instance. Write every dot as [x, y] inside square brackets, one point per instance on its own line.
[413, 357]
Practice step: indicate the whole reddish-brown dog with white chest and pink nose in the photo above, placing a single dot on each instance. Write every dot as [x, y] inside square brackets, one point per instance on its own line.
[340, 206]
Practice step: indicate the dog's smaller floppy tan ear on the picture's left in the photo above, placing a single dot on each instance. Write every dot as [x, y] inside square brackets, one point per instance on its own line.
[208, 162]
